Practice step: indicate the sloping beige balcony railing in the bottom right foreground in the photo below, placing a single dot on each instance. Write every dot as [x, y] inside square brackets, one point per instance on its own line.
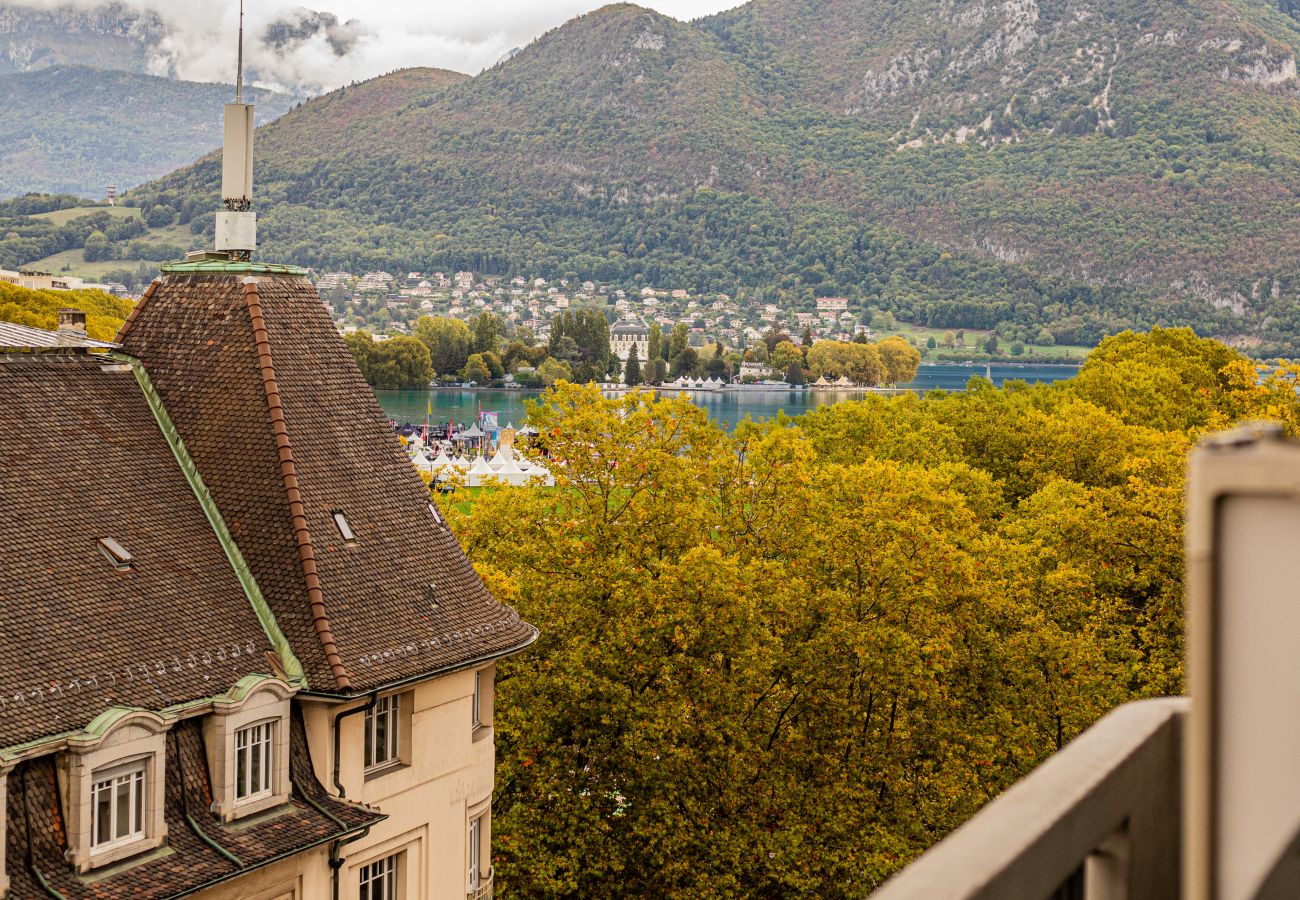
[1099, 821]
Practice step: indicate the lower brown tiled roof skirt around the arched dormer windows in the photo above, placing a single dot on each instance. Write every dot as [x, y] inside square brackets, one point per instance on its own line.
[37, 828]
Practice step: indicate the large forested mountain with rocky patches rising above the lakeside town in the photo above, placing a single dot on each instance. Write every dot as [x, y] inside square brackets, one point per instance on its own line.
[1082, 166]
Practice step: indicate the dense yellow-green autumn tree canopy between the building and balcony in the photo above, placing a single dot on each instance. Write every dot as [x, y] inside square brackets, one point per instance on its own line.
[786, 660]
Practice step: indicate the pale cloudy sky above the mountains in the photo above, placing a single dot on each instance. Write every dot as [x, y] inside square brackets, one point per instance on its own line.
[319, 45]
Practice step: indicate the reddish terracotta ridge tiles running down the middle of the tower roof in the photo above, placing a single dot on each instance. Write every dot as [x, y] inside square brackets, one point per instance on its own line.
[289, 475]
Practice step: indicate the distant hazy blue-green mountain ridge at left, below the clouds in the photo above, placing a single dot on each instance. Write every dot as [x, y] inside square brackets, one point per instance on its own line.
[76, 131]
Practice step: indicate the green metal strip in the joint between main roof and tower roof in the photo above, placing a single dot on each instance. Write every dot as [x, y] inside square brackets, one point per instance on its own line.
[293, 669]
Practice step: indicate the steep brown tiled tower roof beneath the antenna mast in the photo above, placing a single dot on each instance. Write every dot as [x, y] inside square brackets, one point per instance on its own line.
[285, 432]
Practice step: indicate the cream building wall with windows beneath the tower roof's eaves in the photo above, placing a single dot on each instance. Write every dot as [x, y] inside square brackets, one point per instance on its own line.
[448, 771]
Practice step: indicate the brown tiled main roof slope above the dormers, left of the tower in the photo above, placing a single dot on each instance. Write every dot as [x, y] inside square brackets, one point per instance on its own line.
[84, 461]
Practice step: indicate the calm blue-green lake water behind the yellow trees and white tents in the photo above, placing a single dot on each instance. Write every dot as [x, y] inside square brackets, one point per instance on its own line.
[726, 408]
